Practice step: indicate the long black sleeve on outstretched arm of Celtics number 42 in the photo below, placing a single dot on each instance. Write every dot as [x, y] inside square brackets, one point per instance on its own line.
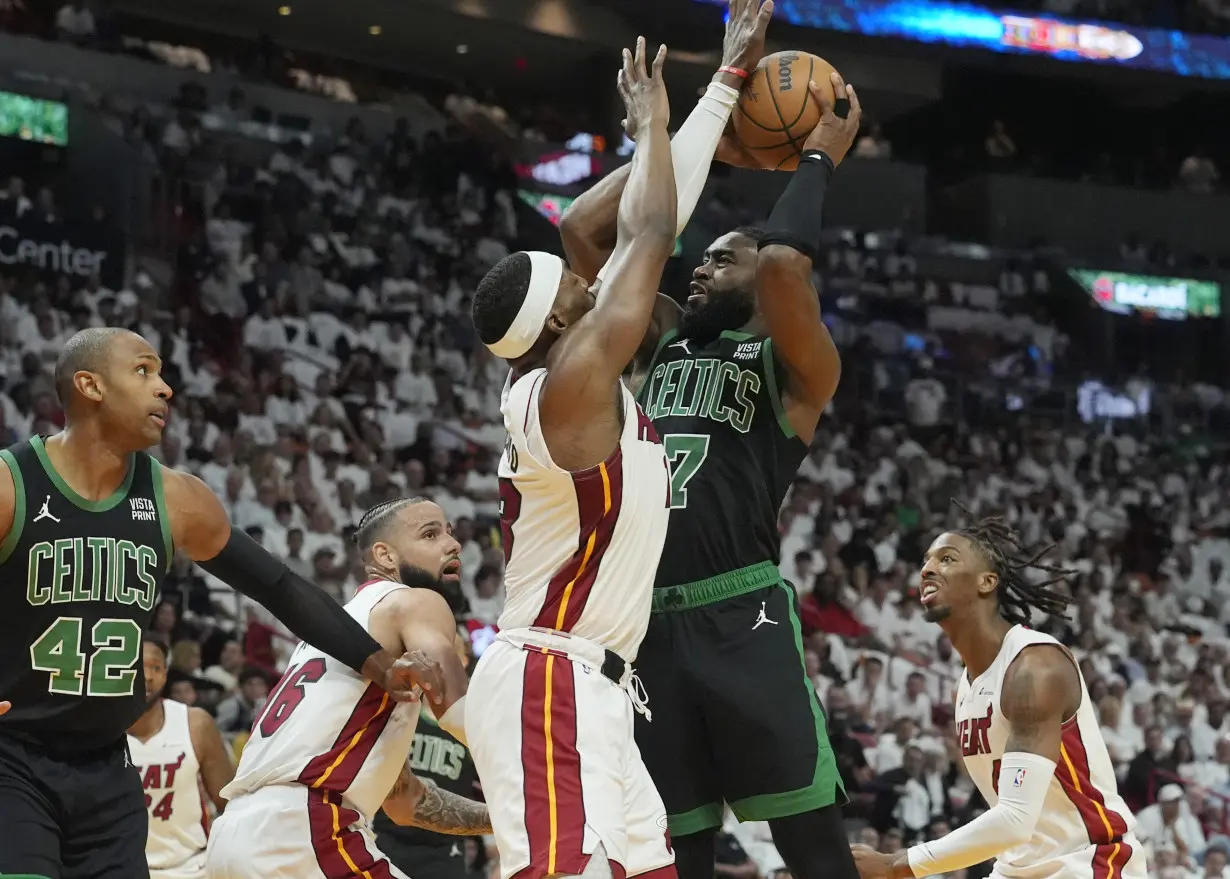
[304, 608]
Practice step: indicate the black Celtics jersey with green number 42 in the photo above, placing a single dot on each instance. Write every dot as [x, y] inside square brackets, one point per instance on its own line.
[79, 583]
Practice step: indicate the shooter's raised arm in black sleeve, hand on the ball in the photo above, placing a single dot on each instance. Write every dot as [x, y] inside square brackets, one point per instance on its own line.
[787, 296]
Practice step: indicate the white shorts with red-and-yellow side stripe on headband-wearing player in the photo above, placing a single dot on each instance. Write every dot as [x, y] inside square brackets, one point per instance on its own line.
[553, 742]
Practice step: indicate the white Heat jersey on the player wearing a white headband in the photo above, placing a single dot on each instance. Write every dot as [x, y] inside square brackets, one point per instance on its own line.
[581, 549]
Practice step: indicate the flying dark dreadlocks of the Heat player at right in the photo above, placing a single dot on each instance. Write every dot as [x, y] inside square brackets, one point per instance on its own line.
[1010, 560]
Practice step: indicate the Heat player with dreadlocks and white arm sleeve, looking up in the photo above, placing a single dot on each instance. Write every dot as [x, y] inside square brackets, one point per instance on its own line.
[1028, 730]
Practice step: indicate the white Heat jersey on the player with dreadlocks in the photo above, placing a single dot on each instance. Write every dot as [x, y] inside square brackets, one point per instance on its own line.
[1084, 821]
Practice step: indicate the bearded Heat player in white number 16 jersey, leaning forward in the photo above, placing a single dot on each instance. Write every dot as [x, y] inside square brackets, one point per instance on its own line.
[330, 749]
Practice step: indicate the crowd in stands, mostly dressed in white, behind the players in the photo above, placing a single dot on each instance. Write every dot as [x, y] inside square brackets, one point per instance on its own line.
[319, 342]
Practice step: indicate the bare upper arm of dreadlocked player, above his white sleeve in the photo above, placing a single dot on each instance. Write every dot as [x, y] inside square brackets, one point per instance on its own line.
[1041, 690]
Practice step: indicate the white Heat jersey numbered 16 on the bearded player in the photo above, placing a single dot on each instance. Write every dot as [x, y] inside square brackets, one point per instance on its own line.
[328, 728]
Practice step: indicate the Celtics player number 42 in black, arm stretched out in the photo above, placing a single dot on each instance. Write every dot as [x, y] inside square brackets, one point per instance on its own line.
[89, 523]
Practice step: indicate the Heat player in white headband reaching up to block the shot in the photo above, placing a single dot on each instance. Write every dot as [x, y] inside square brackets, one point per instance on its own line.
[584, 513]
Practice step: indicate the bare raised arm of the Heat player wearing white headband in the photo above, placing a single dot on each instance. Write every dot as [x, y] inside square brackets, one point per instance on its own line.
[585, 367]
